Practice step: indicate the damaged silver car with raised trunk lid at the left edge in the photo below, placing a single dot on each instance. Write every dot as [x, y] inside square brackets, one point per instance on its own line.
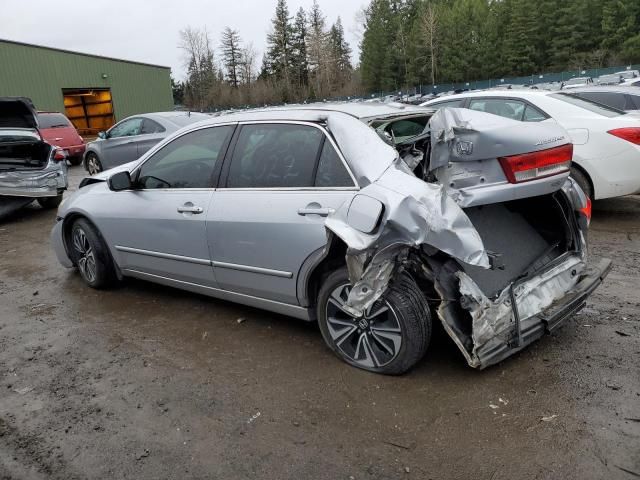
[30, 168]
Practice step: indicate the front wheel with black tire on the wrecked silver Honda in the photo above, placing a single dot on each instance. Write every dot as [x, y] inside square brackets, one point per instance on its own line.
[90, 255]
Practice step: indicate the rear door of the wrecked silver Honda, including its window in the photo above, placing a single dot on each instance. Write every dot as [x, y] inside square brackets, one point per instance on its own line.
[267, 216]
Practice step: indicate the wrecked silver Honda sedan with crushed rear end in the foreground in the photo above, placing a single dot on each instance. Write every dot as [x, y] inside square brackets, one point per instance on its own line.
[374, 220]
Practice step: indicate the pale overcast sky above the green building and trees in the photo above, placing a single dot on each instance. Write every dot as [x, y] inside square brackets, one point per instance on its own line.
[149, 31]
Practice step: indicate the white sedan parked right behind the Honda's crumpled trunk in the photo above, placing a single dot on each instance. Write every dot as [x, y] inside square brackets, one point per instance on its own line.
[606, 154]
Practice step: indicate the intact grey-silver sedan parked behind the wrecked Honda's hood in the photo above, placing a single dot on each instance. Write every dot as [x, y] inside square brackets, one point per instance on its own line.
[132, 137]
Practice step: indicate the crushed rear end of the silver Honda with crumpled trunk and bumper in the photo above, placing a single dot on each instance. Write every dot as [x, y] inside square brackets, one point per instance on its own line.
[481, 211]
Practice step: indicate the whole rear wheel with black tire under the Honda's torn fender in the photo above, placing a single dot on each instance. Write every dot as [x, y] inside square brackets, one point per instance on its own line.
[406, 306]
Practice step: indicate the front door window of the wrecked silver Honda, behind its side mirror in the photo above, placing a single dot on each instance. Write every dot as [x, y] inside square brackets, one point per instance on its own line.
[187, 162]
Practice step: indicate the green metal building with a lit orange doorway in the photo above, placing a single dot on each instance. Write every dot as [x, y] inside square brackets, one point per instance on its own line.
[93, 91]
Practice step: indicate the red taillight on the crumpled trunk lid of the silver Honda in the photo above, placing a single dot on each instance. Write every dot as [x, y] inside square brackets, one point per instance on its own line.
[535, 165]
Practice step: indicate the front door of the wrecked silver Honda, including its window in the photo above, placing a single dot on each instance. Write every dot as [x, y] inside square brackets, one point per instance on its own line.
[159, 227]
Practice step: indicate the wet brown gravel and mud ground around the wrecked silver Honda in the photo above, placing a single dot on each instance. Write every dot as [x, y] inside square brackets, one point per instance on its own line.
[148, 382]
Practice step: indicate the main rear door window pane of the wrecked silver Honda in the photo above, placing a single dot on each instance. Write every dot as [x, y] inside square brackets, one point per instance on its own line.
[274, 156]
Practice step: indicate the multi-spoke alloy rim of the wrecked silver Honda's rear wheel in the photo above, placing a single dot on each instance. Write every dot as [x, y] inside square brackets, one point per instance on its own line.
[373, 340]
